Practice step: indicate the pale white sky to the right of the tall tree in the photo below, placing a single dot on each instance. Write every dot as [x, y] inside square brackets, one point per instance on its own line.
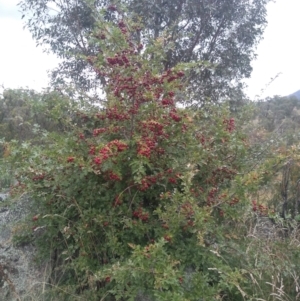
[278, 52]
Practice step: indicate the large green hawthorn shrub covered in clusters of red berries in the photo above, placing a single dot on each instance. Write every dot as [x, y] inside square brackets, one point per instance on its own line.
[131, 202]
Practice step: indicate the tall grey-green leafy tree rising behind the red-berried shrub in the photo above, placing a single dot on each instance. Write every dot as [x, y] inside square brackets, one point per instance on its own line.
[222, 34]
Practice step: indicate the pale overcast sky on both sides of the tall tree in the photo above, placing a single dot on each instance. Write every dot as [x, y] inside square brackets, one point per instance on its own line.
[275, 71]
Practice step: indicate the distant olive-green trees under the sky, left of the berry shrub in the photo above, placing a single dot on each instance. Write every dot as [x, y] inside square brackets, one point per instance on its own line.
[22, 109]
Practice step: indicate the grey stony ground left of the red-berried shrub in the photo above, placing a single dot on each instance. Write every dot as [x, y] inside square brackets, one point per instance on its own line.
[20, 278]
